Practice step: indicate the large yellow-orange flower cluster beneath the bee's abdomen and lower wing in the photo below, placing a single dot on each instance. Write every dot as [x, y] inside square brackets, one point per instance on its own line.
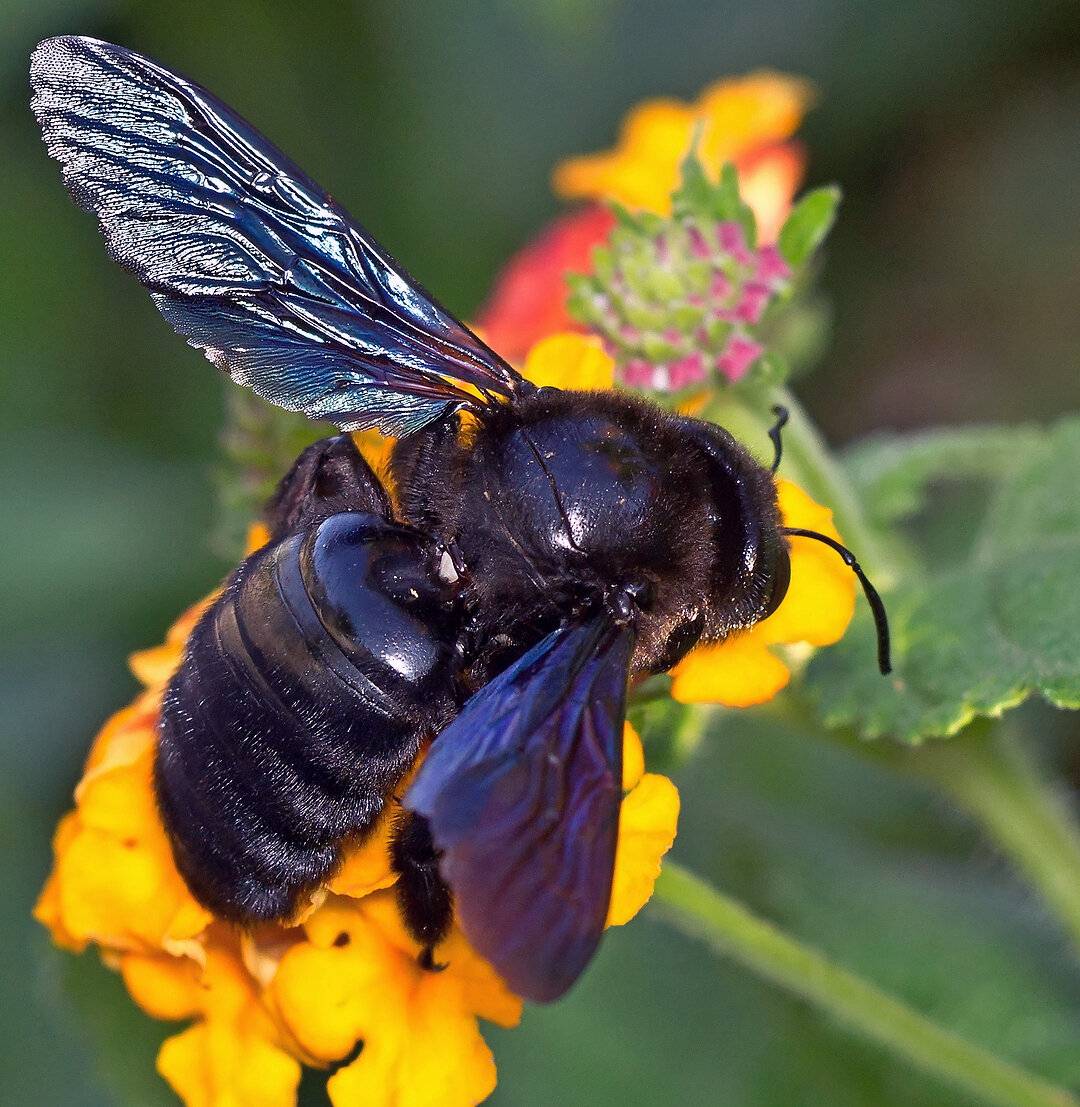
[345, 974]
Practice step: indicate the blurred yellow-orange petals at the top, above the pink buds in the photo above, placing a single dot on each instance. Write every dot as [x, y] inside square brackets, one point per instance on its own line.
[743, 120]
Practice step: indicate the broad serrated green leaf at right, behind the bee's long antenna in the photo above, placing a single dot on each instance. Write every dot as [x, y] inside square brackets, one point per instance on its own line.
[981, 633]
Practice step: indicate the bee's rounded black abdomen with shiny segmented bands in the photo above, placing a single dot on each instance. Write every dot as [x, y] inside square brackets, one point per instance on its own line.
[304, 697]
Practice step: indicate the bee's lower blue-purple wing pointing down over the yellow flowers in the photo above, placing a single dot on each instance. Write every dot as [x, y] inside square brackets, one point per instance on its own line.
[523, 794]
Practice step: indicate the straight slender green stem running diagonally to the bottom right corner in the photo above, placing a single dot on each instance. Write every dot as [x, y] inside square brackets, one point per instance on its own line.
[702, 912]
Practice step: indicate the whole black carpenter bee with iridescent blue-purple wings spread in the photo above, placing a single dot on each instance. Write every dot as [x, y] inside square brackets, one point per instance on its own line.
[541, 550]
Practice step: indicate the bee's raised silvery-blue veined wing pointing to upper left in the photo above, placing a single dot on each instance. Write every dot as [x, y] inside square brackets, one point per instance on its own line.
[245, 255]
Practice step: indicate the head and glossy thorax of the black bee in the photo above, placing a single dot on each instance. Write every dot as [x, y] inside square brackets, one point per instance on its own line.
[617, 498]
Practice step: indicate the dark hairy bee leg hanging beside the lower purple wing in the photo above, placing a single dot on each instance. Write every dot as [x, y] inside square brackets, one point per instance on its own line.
[423, 898]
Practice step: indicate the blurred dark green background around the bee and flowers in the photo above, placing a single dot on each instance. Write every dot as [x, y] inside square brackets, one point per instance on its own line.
[954, 277]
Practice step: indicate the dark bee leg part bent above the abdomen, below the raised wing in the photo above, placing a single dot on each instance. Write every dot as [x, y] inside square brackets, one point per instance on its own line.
[330, 477]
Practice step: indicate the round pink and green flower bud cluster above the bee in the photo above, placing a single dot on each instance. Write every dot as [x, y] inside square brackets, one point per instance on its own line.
[679, 302]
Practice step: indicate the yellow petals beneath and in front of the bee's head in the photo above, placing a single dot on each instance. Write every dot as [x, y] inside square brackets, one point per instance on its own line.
[822, 599]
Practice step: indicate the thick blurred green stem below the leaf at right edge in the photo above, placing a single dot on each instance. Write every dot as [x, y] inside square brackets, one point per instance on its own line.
[990, 774]
